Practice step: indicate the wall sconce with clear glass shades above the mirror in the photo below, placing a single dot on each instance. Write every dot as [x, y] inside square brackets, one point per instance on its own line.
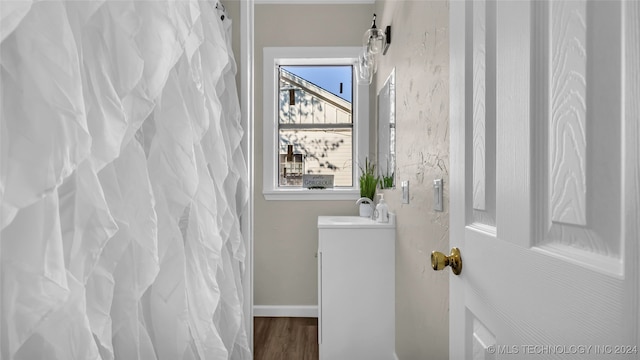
[374, 41]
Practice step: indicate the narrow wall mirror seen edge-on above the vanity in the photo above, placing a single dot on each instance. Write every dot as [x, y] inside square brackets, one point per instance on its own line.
[387, 132]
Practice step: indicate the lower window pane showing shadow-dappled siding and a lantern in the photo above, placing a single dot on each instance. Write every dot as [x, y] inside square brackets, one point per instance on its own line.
[316, 151]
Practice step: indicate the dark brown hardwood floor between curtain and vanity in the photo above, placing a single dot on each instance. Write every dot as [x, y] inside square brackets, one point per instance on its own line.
[282, 338]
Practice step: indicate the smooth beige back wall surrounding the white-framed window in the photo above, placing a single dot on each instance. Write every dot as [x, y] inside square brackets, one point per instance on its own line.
[285, 232]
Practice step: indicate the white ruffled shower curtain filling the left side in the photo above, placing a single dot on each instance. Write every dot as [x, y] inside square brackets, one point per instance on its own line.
[122, 181]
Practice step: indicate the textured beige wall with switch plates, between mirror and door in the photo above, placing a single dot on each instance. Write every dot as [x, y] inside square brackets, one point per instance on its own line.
[420, 54]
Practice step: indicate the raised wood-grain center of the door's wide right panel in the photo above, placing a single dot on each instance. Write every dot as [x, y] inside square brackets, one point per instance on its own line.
[567, 115]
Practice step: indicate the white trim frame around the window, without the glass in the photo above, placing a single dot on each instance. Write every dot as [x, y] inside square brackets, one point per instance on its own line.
[276, 56]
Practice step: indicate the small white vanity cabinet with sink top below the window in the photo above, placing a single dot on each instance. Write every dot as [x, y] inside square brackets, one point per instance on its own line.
[356, 288]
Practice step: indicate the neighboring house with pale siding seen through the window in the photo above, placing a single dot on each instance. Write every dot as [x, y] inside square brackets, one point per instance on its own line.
[315, 127]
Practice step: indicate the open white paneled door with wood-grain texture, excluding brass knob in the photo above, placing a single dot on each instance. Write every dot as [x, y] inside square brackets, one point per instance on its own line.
[545, 179]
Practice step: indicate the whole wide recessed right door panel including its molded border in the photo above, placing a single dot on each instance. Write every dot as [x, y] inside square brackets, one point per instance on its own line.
[581, 169]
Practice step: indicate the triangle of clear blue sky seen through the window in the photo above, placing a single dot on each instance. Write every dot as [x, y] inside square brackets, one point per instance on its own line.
[327, 77]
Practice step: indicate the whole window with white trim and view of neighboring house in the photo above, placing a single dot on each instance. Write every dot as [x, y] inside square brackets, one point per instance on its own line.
[315, 122]
